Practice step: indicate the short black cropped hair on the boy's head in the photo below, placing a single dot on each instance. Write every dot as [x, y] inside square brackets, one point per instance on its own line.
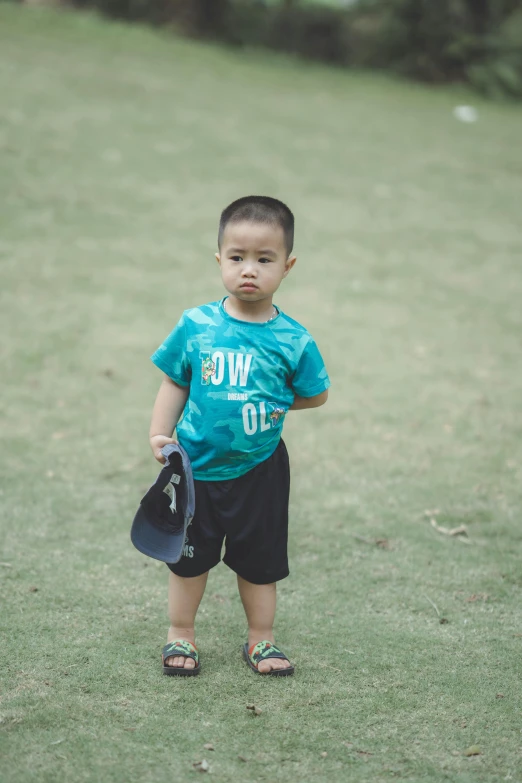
[259, 209]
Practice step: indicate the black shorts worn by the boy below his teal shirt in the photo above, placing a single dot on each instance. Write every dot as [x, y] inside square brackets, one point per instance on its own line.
[250, 514]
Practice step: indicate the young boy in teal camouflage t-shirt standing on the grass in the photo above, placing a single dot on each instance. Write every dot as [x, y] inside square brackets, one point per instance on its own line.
[234, 368]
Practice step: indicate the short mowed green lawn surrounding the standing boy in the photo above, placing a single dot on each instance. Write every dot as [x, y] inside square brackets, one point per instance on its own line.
[119, 147]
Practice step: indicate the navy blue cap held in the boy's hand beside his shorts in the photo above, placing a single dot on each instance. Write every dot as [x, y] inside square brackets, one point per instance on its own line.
[160, 525]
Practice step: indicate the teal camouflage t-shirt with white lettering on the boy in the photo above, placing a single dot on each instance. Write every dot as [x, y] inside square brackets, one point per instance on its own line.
[243, 377]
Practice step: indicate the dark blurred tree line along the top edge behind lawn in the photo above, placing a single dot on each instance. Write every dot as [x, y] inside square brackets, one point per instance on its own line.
[474, 41]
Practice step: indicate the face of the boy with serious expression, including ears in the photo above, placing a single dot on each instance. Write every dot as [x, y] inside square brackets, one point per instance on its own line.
[253, 260]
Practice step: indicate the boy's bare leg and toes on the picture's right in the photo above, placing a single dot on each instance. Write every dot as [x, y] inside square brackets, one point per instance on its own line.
[259, 602]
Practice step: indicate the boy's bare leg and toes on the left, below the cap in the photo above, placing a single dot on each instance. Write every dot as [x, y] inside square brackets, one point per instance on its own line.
[185, 594]
